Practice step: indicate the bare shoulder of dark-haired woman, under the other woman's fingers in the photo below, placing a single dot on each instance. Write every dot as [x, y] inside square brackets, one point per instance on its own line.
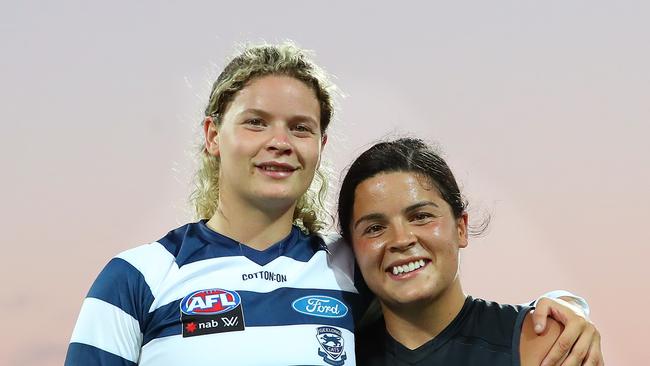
[533, 347]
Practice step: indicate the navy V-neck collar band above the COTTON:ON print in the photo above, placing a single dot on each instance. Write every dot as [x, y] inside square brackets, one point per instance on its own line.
[196, 241]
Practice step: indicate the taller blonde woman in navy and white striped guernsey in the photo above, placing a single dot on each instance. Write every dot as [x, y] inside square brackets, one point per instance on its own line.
[250, 283]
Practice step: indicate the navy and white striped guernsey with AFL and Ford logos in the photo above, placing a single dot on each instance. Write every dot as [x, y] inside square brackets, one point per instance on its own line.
[196, 297]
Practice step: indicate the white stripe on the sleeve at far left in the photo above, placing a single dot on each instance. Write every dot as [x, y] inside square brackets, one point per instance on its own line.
[109, 328]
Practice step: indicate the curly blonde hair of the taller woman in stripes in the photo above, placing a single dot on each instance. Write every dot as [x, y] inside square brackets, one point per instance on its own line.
[253, 62]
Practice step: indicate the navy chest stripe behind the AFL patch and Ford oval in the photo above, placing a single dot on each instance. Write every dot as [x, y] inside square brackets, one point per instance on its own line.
[262, 309]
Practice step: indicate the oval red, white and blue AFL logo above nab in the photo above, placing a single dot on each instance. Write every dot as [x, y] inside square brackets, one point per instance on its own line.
[212, 301]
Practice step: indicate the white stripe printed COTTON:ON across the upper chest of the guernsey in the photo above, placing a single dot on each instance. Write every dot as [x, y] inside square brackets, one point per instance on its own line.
[168, 283]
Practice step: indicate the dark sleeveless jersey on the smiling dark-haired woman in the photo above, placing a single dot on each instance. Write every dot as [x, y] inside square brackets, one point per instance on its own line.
[483, 333]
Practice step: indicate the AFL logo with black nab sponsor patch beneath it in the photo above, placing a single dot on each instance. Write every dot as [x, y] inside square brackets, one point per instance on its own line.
[211, 311]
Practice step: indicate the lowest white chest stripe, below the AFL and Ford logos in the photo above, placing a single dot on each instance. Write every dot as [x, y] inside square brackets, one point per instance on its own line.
[252, 346]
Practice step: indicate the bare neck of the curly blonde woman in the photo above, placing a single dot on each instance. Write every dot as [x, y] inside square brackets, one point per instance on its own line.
[256, 227]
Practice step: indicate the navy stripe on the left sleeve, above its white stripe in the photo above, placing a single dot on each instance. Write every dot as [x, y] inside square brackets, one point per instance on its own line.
[123, 286]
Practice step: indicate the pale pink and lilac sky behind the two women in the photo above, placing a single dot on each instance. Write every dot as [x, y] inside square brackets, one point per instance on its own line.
[542, 108]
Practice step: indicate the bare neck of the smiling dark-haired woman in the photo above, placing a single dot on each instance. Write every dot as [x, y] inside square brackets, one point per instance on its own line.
[415, 324]
